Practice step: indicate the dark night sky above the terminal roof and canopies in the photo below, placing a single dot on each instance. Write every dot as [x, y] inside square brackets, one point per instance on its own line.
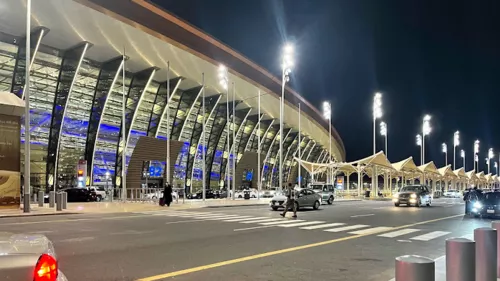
[426, 56]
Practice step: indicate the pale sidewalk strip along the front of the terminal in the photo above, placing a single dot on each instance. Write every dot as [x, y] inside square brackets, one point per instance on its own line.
[129, 207]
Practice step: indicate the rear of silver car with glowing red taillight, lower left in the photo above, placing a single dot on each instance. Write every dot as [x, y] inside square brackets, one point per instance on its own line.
[28, 257]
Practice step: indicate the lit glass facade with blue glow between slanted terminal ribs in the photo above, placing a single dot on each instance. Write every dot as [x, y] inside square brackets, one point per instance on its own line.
[77, 110]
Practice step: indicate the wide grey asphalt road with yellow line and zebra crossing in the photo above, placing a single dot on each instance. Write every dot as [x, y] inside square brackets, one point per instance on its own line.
[344, 241]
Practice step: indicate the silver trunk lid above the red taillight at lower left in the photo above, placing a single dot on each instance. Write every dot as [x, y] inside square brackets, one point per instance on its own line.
[25, 243]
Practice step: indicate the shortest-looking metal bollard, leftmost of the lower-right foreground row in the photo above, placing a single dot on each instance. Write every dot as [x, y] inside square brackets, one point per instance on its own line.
[415, 268]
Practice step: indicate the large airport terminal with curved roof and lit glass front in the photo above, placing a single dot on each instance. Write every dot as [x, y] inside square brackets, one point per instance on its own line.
[79, 77]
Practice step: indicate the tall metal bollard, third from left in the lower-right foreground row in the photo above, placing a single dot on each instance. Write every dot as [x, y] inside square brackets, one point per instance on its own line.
[486, 253]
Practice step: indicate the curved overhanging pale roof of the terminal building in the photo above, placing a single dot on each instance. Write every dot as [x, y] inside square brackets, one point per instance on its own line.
[152, 37]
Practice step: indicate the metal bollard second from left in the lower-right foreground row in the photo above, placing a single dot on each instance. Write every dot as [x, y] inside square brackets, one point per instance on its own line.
[460, 259]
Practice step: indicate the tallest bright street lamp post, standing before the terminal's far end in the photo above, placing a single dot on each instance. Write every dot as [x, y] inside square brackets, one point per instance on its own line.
[286, 67]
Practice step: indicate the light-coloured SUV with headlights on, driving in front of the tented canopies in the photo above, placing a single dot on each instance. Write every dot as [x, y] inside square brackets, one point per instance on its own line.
[416, 195]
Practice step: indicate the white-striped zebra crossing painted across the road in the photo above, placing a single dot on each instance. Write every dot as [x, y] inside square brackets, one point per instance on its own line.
[413, 234]
